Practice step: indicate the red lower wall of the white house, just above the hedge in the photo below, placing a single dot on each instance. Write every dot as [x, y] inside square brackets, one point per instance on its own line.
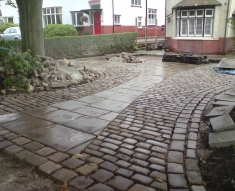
[120, 29]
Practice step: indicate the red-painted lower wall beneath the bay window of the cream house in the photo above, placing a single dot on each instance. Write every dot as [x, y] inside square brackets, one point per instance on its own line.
[199, 46]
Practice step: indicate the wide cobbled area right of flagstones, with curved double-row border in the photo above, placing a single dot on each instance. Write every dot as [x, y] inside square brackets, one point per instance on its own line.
[153, 141]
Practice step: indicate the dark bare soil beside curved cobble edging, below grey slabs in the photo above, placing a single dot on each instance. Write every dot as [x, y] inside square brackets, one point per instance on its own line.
[217, 165]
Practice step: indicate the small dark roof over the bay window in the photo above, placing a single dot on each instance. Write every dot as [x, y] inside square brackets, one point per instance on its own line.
[193, 3]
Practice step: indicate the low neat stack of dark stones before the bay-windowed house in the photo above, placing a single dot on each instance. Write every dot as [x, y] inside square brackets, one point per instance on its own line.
[185, 58]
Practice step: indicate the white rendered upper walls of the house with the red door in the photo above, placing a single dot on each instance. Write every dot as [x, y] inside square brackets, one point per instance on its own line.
[121, 7]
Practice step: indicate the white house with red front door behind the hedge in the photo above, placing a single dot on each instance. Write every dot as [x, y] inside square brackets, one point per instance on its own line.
[99, 16]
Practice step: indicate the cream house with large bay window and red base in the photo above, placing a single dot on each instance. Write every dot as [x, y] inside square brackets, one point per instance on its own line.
[199, 26]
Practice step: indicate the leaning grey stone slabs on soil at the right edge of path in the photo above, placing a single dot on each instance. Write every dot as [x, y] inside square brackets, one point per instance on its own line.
[221, 119]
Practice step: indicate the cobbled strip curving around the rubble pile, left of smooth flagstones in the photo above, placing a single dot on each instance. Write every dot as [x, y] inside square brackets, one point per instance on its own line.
[111, 76]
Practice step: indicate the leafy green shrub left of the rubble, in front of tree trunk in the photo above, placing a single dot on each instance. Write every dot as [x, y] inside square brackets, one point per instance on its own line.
[23, 65]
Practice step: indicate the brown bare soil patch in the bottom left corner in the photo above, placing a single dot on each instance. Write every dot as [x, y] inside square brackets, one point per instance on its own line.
[16, 176]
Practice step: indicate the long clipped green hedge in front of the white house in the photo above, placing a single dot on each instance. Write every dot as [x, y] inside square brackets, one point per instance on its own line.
[89, 45]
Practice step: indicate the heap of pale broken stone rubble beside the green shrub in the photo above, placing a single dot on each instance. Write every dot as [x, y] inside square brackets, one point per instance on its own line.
[58, 74]
